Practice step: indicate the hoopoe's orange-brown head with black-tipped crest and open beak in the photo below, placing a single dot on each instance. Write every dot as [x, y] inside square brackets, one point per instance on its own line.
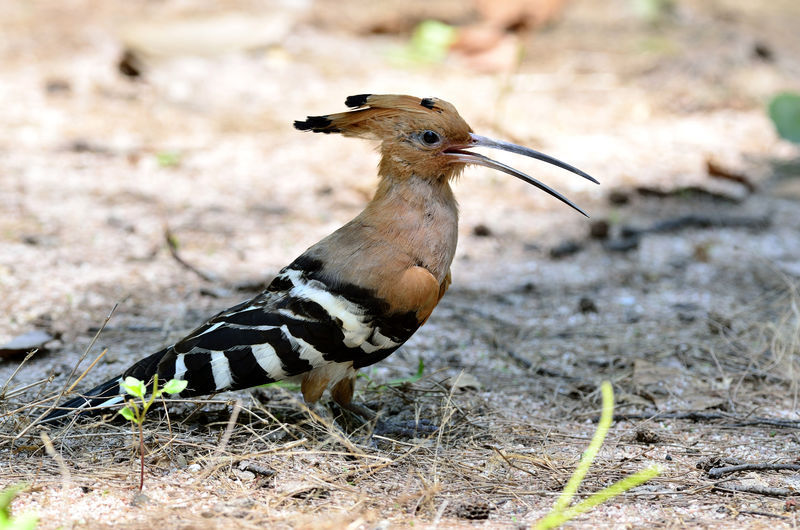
[424, 137]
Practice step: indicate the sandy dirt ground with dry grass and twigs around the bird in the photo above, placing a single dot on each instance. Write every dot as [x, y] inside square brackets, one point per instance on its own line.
[690, 306]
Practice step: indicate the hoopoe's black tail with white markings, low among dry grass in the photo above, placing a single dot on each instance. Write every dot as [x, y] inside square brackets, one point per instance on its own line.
[110, 393]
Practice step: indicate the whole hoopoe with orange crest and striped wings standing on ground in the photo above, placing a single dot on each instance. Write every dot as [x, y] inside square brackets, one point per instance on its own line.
[355, 297]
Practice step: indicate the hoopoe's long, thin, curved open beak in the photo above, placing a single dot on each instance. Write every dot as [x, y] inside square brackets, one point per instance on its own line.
[460, 154]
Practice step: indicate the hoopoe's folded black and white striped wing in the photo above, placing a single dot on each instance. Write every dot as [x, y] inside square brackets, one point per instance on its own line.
[297, 324]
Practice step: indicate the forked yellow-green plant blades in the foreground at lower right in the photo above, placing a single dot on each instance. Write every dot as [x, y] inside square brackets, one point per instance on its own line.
[562, 511]
